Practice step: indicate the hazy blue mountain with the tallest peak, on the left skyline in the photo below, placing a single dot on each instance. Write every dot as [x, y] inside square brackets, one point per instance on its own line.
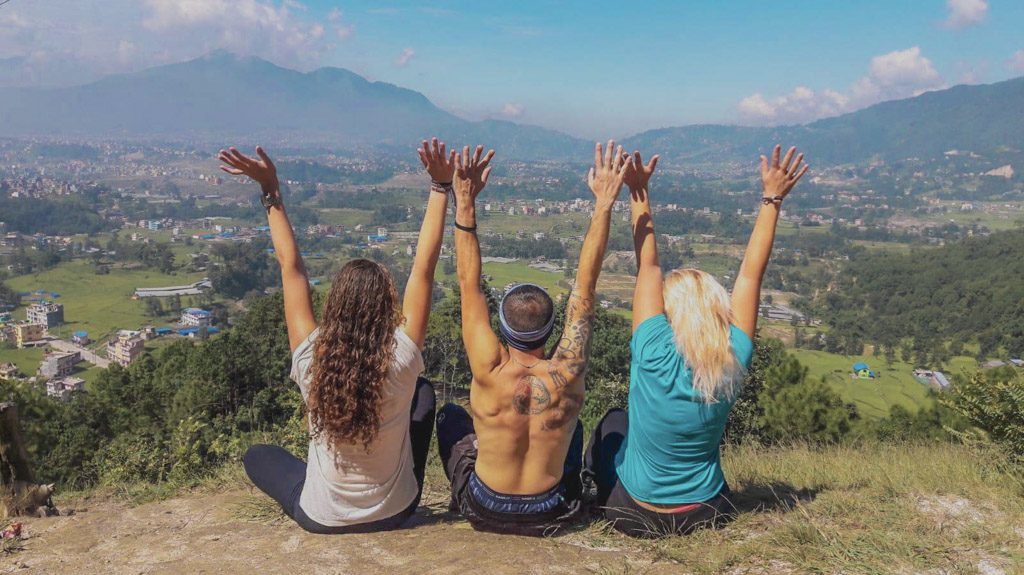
[223, 97]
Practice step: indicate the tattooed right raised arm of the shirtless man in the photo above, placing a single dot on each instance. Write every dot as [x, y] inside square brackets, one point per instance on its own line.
[606, 180]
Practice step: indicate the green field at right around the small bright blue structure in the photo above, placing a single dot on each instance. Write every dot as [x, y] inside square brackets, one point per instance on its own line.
[894, 386]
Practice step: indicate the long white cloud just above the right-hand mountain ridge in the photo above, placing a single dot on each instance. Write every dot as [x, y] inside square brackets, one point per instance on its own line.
[897, 75]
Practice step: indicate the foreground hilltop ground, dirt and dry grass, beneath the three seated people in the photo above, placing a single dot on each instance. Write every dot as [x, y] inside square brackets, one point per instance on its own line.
[866, 510]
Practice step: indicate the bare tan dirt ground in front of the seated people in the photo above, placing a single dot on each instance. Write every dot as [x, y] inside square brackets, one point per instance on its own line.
[212, 534]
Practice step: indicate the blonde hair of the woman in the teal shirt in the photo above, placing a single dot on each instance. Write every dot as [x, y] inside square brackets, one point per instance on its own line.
[701, 317]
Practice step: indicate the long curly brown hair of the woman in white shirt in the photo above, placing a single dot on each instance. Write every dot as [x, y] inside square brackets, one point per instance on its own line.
[353, 356]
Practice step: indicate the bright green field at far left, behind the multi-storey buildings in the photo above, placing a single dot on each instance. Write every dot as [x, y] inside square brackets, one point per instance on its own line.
[95, 303]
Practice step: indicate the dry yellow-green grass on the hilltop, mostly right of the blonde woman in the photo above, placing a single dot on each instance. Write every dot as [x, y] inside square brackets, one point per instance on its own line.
[909, 509]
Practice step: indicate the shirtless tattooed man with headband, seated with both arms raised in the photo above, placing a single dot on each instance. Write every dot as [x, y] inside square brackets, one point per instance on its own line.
[516, 464]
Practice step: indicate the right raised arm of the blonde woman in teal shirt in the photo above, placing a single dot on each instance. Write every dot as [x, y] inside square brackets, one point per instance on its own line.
[779, 180]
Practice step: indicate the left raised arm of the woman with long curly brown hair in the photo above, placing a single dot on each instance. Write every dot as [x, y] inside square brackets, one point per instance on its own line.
[298, 303]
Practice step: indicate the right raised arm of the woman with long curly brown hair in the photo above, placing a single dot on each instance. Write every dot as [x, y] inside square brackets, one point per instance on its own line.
[419, 290]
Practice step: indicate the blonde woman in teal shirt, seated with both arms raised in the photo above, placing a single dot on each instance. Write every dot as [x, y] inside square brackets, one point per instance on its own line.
[659, 471]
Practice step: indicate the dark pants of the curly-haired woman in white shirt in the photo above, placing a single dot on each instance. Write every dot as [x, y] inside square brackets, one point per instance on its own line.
[281, 475]
